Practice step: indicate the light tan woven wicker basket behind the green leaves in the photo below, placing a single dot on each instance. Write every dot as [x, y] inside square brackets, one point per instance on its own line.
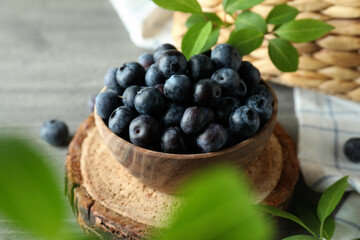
[329, 65]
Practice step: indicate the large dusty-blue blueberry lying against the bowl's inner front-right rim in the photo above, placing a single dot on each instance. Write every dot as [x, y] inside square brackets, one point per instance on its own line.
[244, 122]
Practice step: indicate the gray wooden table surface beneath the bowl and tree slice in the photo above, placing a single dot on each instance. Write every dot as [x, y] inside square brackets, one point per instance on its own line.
[53, 55]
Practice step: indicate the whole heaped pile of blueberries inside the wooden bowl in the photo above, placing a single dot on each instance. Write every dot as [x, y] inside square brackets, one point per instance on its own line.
[165, 103]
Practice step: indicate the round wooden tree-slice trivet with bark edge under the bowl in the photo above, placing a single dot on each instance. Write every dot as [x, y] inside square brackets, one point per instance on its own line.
[111, 204]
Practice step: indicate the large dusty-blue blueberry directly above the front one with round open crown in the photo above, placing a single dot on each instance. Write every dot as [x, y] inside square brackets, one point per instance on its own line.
[150, 101]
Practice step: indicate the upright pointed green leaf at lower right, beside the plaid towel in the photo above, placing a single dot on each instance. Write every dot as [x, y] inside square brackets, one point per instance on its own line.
[331, 198]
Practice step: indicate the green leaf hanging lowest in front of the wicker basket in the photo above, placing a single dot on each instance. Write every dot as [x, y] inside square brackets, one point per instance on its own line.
[284, 56]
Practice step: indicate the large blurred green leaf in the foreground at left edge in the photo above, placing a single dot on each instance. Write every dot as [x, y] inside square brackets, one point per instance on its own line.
[30, 195]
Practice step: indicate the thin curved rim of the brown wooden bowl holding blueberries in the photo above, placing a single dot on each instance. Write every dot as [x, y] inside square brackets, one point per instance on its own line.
[197, 155]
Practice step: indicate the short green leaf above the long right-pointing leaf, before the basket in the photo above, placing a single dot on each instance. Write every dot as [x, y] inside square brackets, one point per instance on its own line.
[281, 14]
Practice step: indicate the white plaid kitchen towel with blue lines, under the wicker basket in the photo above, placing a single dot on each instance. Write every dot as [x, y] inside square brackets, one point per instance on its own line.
[325, 124]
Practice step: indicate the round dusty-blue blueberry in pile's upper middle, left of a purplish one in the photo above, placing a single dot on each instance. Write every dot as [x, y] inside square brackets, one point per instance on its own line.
[178, 88]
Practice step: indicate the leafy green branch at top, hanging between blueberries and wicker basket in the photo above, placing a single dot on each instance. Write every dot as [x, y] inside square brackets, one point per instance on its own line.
[249, 31]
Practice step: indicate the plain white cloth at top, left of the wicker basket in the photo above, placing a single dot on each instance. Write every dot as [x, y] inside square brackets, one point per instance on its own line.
[147, 24]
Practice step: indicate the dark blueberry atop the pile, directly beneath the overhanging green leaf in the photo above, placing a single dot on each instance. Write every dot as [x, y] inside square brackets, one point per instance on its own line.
[200, 66]
